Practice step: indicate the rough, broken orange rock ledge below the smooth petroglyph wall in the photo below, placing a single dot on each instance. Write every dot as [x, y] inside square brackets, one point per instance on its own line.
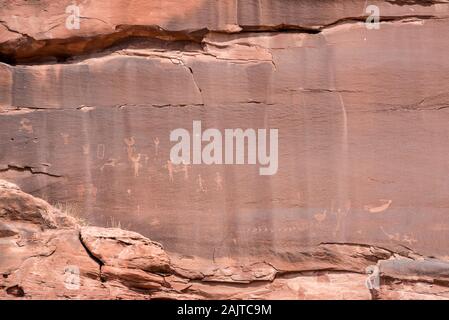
[49, 255]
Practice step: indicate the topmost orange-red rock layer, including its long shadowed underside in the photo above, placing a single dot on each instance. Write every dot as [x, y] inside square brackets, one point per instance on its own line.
[33, 29]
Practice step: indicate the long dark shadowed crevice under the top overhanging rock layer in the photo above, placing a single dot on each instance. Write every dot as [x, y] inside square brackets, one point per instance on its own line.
[27, 50]
